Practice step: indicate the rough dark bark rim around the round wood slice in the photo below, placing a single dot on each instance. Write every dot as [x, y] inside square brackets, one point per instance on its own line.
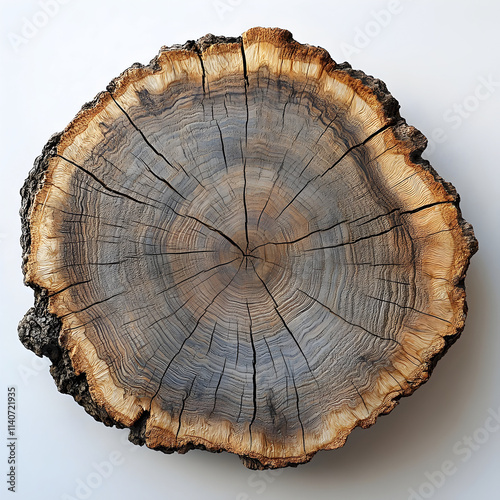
[39, 329]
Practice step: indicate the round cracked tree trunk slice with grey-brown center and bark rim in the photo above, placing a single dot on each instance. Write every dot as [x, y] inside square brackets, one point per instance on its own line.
[238, 247]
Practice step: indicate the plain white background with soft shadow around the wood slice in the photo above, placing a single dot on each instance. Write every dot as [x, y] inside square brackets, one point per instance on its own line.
[434, 57]
